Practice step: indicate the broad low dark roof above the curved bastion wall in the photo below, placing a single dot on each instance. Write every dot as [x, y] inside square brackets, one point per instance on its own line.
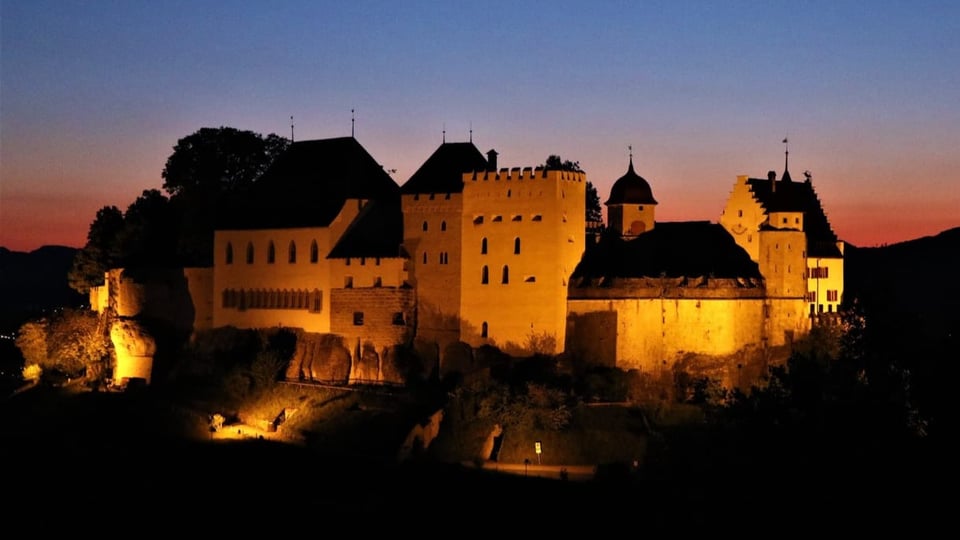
[672, 249]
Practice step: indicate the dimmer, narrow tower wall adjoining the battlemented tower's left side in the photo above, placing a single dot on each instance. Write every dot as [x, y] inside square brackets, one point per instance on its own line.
[433, 231]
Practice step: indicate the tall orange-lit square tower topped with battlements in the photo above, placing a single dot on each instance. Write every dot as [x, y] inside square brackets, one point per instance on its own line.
[532, 224]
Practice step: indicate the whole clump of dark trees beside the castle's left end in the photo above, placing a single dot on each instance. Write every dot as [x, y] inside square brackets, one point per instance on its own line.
[205, 168]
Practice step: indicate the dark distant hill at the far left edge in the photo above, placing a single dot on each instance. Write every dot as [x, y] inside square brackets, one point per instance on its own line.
[31, 283]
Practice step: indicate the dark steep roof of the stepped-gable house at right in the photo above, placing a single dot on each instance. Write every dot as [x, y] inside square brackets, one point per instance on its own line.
[789, 196]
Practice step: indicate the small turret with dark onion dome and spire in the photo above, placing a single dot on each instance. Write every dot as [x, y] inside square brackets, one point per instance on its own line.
[631, 206]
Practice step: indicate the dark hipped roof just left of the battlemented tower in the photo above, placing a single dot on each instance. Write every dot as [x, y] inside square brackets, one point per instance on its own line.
[443, 171]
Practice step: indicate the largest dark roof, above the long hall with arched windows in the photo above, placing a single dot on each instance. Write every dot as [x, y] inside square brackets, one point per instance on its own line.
[307, 185]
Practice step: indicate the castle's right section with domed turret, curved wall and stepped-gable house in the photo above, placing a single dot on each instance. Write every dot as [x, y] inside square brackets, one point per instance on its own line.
[651, 295]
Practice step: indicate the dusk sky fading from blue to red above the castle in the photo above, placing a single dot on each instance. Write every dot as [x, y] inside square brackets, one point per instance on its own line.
[95, 94]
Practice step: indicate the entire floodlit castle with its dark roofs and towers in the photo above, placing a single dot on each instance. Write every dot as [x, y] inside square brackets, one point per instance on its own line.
[467, 254]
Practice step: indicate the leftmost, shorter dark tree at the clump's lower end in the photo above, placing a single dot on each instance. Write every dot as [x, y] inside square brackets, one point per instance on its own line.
[101, 252]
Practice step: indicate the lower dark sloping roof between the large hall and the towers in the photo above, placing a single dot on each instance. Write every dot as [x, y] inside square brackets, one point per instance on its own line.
[376, 232]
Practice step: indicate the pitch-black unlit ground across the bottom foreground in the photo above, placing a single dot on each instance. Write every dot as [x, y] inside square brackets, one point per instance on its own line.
[120, 472]
